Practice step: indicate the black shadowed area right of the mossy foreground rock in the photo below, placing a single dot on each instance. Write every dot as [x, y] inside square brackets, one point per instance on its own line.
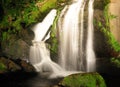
[109, 72]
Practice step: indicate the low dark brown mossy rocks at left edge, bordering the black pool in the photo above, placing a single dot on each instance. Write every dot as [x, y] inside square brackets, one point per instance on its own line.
[10, 65]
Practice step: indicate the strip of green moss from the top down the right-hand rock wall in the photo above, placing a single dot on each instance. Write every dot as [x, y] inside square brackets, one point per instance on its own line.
[104, 26]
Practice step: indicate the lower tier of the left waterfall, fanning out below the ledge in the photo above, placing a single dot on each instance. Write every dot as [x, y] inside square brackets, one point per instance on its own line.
[40, 58]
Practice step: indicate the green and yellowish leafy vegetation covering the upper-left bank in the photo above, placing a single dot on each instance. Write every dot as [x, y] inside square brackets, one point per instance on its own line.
[19, 15]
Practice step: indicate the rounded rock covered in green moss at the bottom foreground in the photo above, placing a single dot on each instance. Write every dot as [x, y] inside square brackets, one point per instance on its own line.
[83, 80]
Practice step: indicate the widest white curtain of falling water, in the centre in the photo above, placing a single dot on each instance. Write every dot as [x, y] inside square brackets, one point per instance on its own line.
[69, 36]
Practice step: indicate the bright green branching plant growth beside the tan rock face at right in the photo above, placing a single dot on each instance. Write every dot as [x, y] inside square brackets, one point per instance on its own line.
[106, 29]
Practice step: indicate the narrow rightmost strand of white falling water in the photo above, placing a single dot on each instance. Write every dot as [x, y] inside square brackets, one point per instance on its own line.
[90, 55]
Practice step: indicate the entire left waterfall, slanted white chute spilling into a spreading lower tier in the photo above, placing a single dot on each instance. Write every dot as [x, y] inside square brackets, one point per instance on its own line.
[40, 55]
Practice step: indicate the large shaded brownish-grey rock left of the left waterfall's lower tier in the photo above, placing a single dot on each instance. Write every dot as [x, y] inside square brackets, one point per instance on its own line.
[15, 49]
